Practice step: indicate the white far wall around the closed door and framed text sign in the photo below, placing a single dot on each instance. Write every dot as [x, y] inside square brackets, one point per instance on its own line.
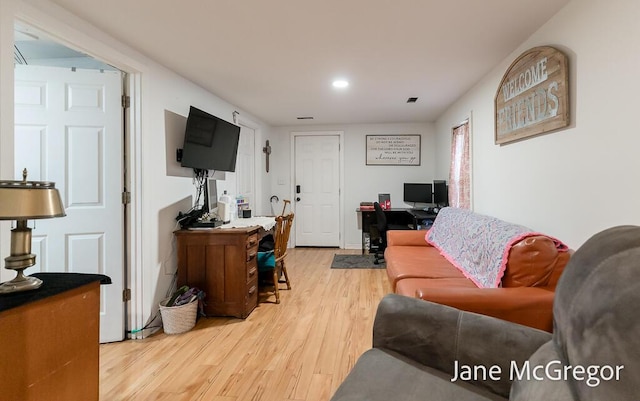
[361, 182]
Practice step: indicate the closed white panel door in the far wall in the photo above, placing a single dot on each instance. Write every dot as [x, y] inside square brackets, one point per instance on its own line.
[317, 190]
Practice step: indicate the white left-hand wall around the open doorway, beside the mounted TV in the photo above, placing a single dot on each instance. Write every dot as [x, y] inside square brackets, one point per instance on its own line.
[158, 196]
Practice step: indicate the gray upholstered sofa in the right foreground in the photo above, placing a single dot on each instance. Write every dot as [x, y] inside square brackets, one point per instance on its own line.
[426, 351]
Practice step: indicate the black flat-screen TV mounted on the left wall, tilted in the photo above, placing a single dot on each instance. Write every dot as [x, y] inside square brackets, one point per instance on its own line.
[210, 143]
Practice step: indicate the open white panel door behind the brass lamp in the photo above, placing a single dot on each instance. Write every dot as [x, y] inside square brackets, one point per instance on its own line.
[68, 129]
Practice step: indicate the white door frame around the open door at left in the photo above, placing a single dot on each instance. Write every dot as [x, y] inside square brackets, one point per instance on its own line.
[50, 22]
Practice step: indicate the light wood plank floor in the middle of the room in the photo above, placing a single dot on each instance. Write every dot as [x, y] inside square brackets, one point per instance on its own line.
[300, 349]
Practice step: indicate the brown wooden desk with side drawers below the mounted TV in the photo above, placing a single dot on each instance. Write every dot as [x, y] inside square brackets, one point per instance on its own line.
[222, 262]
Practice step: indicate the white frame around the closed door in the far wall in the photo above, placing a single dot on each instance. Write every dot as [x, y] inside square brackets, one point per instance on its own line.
[292, 171]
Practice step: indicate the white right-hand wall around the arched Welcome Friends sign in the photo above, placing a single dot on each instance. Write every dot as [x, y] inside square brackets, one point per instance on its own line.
[577, 181]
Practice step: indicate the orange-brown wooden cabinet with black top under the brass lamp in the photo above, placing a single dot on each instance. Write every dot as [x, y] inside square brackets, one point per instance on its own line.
[50, 340]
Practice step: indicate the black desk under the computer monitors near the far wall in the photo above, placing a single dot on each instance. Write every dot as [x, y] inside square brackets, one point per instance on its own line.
[415, 219]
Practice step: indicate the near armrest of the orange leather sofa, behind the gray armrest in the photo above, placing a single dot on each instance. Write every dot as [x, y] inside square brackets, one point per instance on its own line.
[529, 306]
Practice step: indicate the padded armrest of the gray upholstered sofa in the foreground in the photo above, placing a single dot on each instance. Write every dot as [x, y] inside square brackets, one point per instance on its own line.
[442, 337]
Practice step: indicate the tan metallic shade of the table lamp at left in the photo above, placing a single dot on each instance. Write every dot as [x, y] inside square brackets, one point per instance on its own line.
[28, 200]
